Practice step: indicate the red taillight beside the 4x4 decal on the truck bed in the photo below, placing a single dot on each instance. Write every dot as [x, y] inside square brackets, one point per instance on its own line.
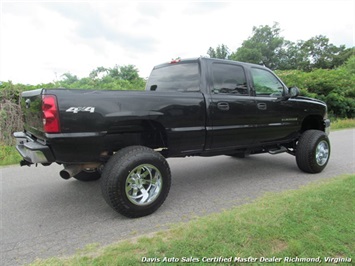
[50, 114]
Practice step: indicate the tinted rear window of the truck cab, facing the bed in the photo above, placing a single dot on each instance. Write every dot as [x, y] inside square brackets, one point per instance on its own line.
[178, 77]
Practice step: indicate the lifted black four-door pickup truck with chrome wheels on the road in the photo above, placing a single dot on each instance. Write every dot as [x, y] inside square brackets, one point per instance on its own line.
[192, 107]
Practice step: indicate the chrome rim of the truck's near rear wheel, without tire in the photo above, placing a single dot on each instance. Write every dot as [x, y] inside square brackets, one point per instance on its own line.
[143, 184]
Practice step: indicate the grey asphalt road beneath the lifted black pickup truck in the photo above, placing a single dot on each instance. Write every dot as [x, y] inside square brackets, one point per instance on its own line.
[43, 215]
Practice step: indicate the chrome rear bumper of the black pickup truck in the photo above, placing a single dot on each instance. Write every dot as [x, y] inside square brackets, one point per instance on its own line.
[31, 150]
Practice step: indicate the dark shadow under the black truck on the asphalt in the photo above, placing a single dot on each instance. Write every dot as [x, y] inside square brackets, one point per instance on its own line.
[199, 185]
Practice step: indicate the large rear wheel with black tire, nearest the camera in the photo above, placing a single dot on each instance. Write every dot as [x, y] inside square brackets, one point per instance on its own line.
[136, 181]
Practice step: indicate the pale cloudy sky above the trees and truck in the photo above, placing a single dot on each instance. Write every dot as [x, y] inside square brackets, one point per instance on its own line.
[42, 40]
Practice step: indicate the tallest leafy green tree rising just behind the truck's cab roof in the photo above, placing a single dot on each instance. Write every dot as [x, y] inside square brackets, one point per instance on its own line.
[263, 47]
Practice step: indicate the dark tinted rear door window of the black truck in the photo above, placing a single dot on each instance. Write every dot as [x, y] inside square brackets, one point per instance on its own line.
[228, 78]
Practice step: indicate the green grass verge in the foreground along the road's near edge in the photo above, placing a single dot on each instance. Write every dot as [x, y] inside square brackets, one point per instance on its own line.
[314, 221]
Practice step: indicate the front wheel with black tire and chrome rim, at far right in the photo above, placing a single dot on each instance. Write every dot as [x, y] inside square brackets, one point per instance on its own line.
[313, 151]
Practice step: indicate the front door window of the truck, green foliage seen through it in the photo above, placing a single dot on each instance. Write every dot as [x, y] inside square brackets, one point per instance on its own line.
[265, 83]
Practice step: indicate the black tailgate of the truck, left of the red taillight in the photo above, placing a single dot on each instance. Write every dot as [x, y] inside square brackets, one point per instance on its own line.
[31, 104]
